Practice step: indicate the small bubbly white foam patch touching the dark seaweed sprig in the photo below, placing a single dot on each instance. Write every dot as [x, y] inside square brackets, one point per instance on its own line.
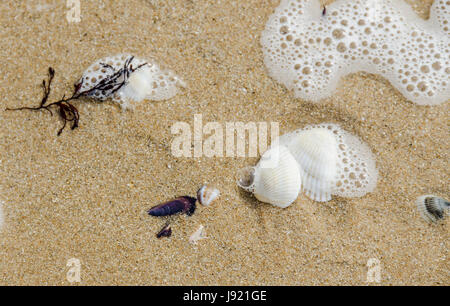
[147, 81]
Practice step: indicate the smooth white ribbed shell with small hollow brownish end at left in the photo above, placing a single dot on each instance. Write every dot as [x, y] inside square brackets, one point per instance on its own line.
[275, 179]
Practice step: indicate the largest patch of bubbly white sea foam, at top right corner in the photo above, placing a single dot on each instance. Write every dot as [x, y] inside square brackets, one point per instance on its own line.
[309, 52]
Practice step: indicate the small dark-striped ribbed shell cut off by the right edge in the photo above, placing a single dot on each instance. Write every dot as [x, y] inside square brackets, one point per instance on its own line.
[432, 208]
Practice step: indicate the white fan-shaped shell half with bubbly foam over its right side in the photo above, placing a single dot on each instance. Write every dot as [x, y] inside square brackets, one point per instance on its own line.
[332, 161]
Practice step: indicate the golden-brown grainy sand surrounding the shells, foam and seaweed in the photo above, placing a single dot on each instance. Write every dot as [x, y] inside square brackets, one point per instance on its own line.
[85, 194]
